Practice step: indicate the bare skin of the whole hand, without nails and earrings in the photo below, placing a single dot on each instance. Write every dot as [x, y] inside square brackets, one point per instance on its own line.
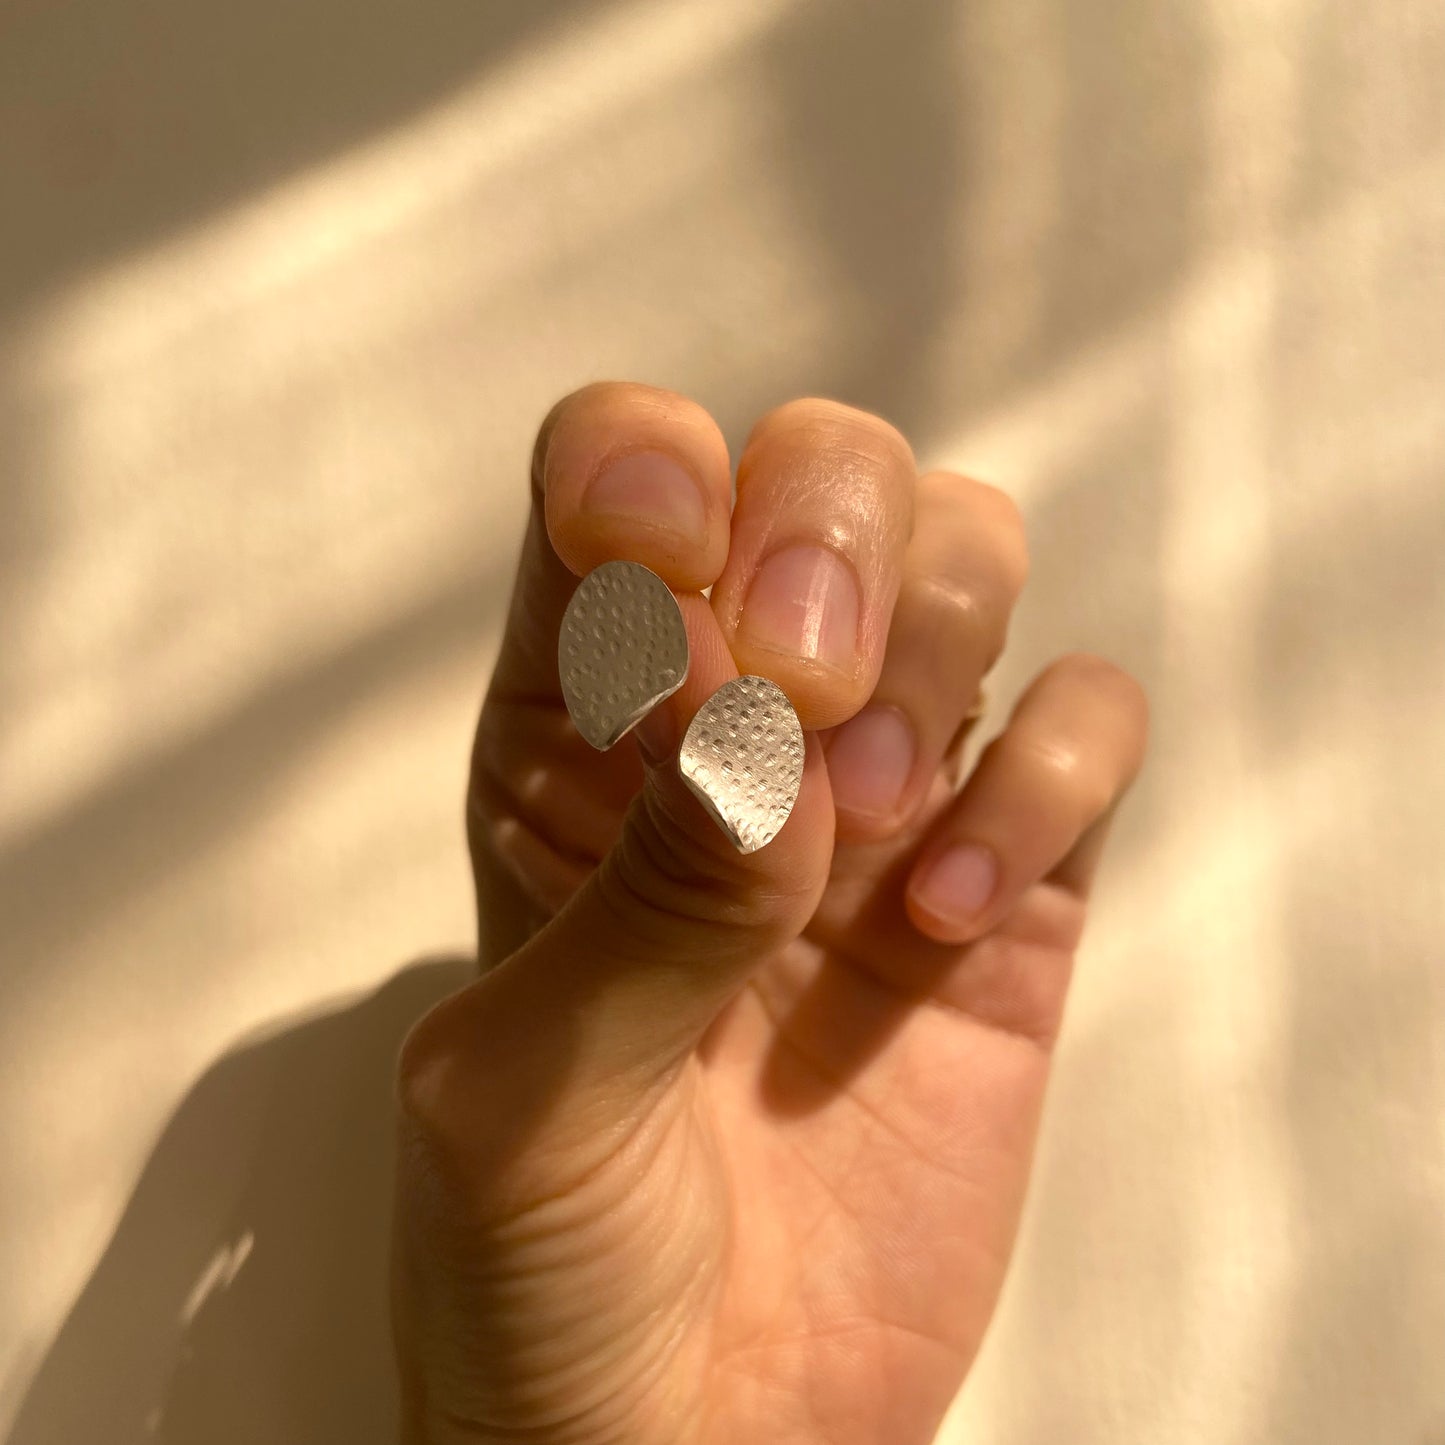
[730, 1148]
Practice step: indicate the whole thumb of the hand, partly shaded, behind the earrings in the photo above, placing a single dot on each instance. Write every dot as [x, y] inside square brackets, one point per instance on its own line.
[600, 1011]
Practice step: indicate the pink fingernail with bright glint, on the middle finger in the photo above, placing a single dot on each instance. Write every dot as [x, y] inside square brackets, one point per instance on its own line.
[804, 602]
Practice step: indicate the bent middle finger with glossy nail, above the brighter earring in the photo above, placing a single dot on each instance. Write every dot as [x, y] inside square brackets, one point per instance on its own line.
[823, 518]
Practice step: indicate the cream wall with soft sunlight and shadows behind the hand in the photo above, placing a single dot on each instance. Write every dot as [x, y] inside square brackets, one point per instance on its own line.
[285, 290]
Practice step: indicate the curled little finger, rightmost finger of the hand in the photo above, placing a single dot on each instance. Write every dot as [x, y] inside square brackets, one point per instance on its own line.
[1037, 804]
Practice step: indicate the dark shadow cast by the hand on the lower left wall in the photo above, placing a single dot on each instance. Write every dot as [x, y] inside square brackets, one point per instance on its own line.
[243, 1298]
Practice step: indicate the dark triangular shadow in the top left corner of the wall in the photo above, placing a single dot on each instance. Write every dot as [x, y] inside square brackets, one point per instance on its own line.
[124, 124]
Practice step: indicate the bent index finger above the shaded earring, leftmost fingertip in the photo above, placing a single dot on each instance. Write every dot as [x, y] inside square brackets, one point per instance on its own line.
[619, 472]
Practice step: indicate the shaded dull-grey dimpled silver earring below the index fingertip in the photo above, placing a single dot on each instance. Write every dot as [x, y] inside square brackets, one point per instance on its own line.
[622, 651]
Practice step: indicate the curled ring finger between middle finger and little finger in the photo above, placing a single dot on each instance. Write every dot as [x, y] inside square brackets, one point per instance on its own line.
[962, 577]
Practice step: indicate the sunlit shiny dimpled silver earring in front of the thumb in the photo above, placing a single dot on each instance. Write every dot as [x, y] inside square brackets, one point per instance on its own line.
[743, 756]
